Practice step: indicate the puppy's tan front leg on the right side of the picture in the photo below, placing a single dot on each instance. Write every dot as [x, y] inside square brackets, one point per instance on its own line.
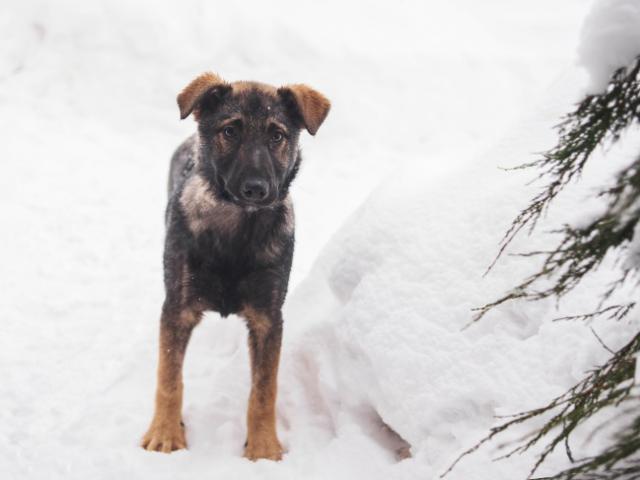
[265, 337]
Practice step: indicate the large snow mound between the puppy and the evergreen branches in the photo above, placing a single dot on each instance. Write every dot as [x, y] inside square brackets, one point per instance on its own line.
[394, 289]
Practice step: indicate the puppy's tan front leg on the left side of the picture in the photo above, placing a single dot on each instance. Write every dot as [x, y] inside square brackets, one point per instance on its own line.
[166, 432]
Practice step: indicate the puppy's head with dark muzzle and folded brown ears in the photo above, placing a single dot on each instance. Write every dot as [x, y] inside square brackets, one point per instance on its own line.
[249, 134]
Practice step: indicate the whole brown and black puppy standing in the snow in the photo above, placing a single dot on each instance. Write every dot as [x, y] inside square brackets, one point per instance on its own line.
[229, 238]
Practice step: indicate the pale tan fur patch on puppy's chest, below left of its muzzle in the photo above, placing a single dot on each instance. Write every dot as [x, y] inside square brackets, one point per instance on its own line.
[203, 211]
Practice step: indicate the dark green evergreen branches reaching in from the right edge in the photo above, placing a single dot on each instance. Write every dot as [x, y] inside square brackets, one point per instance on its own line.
[598, 120]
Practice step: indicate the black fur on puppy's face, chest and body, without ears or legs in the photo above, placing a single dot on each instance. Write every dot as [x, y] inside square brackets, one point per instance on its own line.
[227, 271]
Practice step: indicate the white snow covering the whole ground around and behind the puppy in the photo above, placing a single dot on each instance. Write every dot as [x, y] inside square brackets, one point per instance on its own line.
[400, 206]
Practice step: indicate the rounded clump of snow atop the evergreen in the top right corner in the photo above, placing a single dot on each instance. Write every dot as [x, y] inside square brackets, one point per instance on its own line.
[610, 40]
